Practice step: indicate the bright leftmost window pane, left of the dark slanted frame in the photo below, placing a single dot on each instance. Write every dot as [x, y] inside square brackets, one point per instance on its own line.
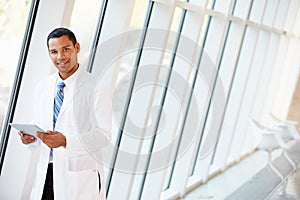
[13, 17]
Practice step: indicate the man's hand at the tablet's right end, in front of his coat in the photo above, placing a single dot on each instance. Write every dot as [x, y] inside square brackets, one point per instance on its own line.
[52, 139]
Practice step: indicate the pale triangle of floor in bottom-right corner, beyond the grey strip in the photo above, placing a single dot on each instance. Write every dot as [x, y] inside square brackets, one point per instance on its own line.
[292, 189]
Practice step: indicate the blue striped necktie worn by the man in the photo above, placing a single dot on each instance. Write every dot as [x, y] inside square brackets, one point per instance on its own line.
[58, 100]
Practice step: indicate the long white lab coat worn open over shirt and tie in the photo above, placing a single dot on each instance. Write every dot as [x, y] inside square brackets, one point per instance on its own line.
[76, 168]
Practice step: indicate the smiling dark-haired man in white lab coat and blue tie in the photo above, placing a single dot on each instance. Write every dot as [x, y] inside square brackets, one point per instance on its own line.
[76, 112]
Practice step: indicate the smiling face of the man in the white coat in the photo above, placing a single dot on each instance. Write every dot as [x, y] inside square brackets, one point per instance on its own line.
[64, 55]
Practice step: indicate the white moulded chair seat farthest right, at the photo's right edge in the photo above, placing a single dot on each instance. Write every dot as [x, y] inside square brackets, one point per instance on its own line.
[287, 128]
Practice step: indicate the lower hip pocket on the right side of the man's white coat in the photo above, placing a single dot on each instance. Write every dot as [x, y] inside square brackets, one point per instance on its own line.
[83, 185]
